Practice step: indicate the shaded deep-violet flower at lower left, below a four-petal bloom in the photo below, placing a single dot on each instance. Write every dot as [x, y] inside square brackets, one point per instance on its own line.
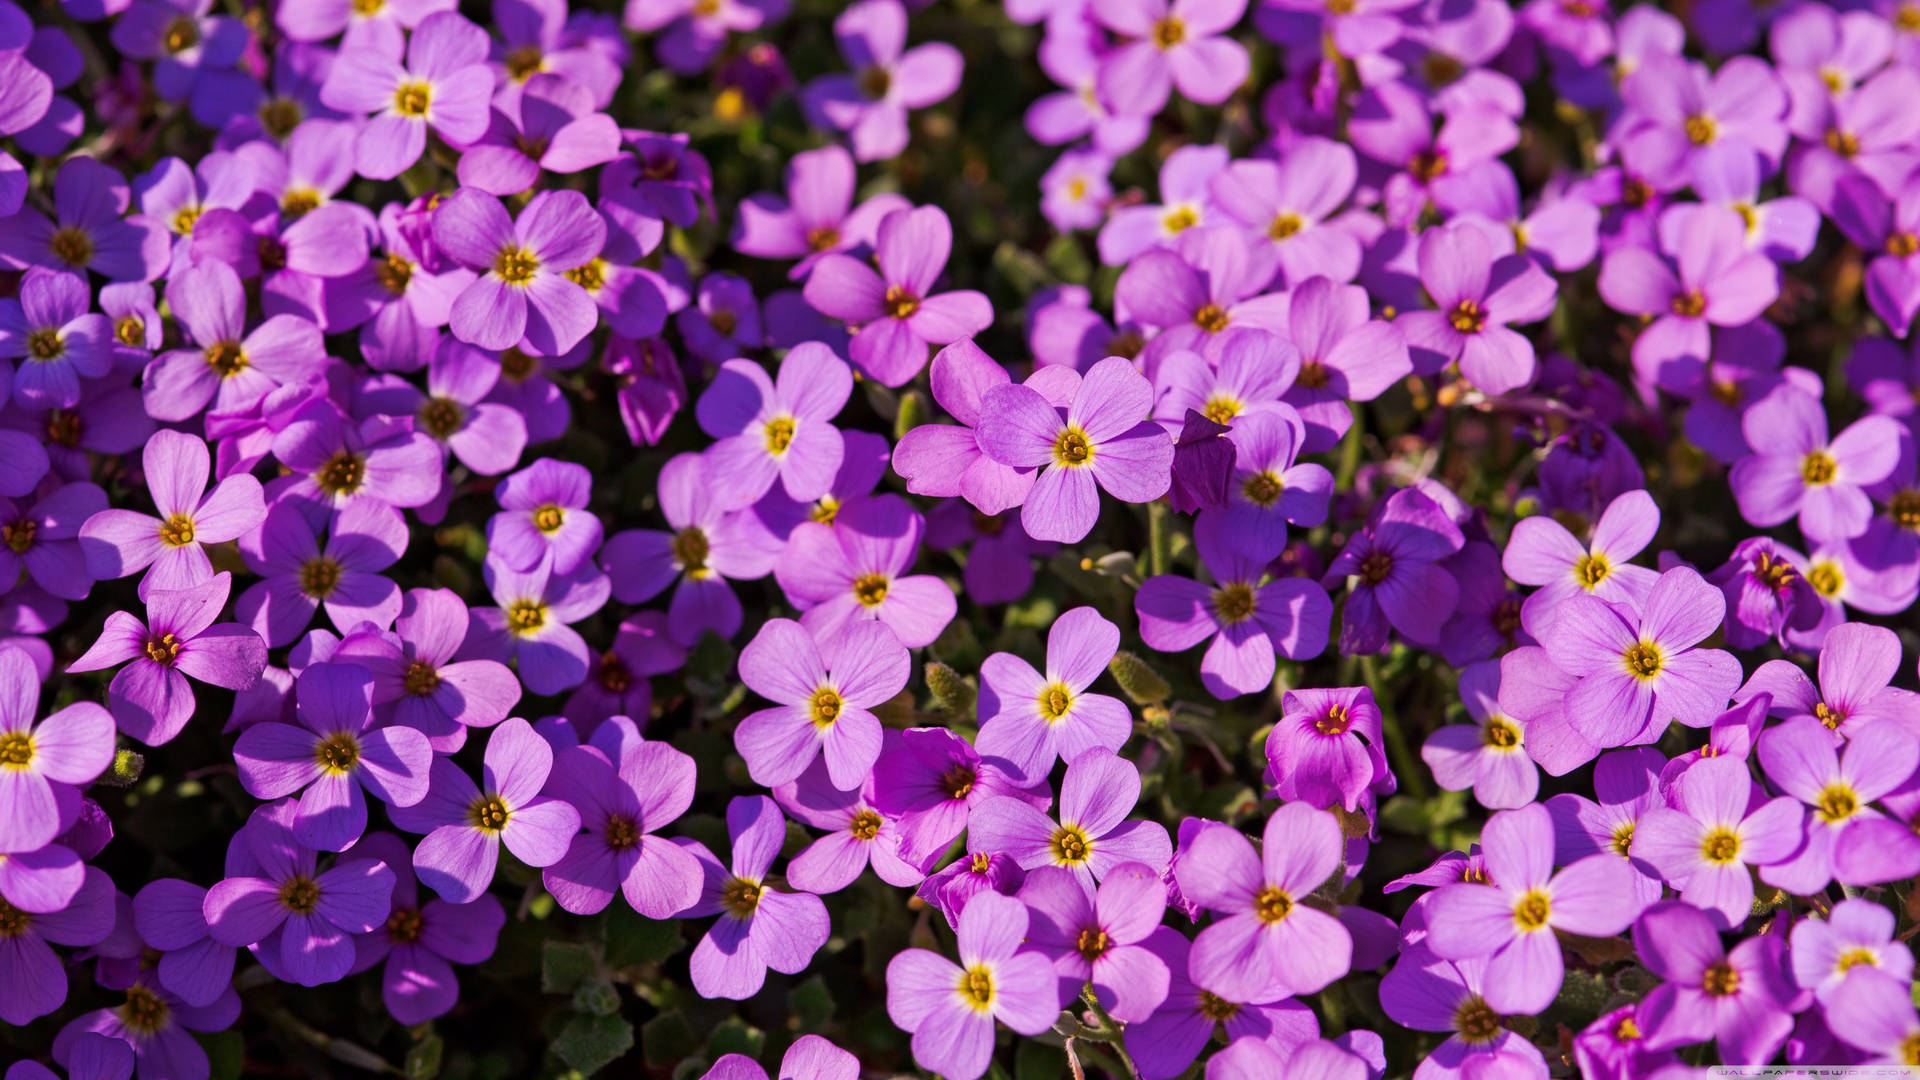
[297, 920]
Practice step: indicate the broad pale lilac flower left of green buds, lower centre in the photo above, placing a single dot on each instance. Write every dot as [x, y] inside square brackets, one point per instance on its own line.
[825, 689]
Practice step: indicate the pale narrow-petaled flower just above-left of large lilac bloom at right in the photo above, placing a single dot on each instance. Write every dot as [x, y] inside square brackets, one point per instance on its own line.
[1545, 554]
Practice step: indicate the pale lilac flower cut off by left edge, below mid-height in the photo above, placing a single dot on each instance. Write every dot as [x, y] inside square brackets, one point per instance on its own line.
[49, 762]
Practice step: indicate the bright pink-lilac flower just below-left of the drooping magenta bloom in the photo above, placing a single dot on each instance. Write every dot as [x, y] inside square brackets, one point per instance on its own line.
[1264, 941]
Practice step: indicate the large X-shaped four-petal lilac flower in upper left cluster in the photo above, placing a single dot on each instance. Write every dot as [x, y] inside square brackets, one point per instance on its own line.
[527, 287]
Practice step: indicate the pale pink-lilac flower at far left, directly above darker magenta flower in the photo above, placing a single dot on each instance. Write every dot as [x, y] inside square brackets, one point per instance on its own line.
[174, 545]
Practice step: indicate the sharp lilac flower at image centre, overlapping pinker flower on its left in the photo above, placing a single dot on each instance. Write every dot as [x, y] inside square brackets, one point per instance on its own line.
[1105, 441]
